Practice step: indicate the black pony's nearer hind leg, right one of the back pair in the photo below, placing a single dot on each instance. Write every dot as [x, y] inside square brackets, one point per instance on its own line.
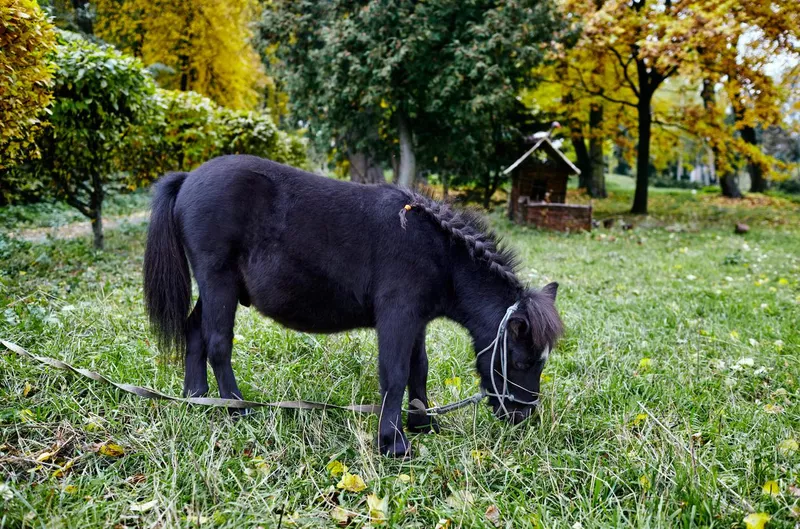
[220, 296]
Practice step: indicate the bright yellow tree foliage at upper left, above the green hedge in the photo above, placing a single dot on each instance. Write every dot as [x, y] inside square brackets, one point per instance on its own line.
[206, 44]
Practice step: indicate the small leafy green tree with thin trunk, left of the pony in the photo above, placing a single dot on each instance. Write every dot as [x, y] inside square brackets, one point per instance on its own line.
[99, 96]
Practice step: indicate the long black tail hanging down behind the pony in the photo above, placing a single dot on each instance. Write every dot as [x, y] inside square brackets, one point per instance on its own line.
[167, 280]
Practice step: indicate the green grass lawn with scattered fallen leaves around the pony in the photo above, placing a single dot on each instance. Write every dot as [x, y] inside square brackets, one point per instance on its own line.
[678, 318]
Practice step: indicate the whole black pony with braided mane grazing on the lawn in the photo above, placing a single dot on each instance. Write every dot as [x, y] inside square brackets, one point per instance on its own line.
[320, 255]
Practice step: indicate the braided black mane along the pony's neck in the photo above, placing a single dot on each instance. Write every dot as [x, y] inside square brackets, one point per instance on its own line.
[470, 230]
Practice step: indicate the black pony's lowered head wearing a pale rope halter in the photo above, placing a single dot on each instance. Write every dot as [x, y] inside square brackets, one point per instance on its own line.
[511, 367]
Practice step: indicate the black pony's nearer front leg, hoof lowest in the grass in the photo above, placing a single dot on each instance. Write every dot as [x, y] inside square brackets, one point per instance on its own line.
[396, 335]
